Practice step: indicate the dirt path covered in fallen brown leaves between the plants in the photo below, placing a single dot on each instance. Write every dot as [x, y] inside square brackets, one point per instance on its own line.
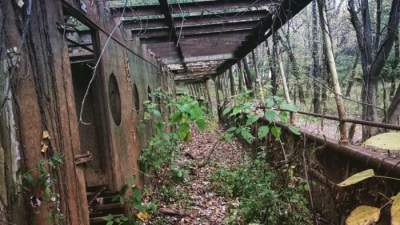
[198, 204]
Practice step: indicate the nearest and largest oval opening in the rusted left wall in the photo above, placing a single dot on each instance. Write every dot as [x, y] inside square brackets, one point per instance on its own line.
[115, 99]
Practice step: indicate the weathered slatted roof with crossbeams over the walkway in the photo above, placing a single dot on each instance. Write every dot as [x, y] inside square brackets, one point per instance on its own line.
[202, 39]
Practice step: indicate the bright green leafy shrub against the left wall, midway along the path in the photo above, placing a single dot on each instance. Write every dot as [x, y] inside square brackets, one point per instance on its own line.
[163, 145]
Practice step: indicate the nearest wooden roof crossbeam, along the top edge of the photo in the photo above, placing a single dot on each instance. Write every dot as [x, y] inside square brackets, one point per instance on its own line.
[198, 7]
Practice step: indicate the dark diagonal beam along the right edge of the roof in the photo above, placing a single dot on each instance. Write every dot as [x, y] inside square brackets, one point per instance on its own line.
[286, 10]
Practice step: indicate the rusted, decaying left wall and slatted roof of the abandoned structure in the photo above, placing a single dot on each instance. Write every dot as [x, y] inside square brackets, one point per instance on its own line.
[58, 56]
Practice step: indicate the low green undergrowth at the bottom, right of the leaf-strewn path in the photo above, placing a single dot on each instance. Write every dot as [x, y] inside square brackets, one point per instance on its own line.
[264, 198]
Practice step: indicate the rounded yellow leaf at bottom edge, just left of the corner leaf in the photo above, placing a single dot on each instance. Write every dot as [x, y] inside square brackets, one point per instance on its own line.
[363, 215]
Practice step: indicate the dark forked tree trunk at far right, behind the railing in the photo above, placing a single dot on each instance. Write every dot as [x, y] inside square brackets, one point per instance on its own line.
[372, 60]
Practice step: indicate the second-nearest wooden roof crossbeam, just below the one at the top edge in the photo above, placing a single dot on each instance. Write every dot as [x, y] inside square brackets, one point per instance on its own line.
[197, 20]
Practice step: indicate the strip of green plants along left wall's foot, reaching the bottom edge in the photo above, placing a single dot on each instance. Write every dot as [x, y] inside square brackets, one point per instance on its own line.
[157, 157]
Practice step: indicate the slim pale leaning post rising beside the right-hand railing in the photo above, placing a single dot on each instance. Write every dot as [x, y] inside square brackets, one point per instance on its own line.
[333, 72]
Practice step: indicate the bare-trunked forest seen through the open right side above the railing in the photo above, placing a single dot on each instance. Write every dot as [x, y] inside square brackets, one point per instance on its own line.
[365, 49]
